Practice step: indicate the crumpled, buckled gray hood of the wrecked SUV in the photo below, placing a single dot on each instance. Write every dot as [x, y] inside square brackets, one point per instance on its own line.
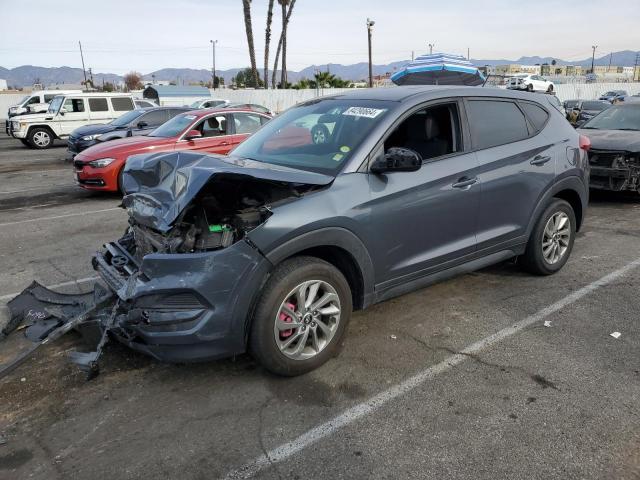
[160, 186]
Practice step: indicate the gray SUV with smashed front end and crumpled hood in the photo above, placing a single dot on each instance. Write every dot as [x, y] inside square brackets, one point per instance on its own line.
[337, 204]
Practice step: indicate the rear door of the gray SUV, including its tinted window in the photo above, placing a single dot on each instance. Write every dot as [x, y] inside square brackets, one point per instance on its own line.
[516, 166]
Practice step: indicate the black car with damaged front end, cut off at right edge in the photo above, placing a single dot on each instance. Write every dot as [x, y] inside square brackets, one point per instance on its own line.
[614, 157]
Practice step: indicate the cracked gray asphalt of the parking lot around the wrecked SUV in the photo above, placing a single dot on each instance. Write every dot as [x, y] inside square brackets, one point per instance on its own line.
[544, 402]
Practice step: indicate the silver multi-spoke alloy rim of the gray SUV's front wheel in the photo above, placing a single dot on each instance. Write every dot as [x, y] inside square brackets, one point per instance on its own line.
[307, 319]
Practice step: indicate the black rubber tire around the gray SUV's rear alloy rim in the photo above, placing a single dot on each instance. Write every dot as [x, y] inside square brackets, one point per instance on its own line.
[533, 259]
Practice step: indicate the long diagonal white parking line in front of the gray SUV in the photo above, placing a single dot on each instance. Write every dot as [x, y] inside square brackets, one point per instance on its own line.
[356, 412]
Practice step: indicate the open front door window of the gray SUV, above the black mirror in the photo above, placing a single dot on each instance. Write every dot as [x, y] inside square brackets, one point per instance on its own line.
[432, 132]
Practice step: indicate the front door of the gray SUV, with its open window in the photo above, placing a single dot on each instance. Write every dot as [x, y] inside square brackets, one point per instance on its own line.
[425, 220]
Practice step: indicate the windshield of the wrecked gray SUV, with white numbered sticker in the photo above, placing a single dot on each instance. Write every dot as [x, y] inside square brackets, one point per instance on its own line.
[319, 136]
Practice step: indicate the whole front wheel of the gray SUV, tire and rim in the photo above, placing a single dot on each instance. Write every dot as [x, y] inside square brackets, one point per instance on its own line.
[301, 316]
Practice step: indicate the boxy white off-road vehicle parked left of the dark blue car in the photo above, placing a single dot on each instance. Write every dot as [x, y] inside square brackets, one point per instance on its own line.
[65, 114]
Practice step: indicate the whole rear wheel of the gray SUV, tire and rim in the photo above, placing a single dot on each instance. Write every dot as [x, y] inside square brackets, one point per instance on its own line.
[552, 239]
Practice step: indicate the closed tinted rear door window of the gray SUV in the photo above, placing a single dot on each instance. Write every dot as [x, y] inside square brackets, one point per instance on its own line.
[495, 122]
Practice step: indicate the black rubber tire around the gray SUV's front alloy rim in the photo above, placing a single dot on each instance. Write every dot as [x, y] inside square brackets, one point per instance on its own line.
[286, 277]
